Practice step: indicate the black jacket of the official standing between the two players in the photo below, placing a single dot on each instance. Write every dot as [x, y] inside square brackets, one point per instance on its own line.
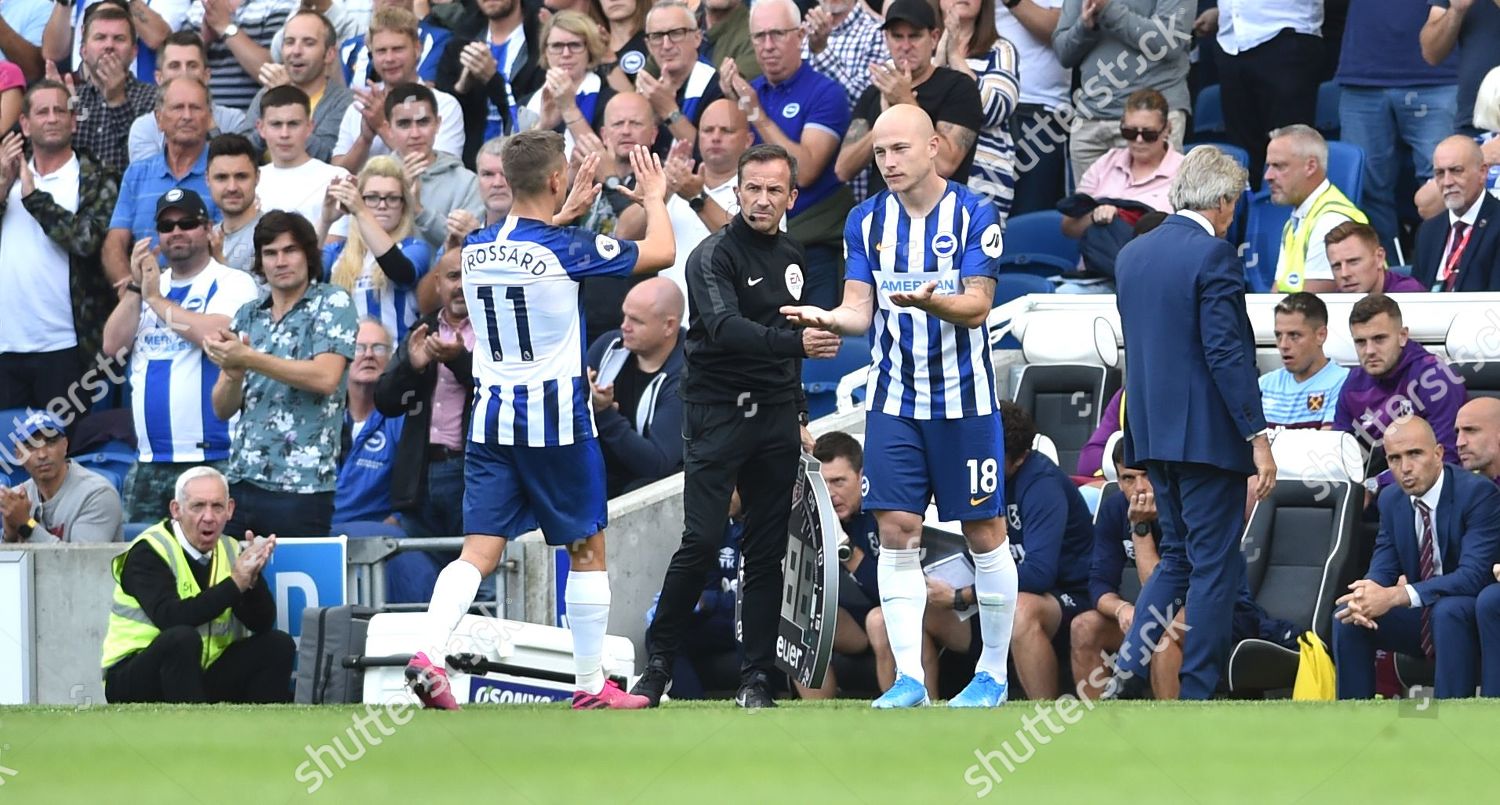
[740, 347]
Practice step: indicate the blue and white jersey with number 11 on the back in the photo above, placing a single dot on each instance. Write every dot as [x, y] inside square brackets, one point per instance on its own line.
[521, 281]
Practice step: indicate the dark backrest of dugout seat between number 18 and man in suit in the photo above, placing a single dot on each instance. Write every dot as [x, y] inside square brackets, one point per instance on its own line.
[1066, 401]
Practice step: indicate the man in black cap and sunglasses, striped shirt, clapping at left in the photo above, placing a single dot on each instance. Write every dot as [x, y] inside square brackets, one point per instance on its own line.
[163, 320]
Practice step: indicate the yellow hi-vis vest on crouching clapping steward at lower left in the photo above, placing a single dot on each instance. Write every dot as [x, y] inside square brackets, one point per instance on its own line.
[131, 630]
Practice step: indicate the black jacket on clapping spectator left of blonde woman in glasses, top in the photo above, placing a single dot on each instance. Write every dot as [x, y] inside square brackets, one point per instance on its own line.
[473, 26]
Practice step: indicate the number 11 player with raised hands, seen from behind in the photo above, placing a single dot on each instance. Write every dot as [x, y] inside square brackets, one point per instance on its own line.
[532, 455]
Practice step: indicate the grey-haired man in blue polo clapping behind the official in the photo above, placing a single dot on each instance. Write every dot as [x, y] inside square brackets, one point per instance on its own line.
[796, 107]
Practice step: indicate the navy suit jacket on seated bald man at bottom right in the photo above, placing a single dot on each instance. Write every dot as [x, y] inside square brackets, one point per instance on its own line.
[1468, 534]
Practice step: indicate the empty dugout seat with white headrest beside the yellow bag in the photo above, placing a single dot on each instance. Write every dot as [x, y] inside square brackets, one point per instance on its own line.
[1298, 549]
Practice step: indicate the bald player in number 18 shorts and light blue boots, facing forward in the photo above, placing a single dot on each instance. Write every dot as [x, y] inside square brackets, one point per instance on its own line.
[922, 263]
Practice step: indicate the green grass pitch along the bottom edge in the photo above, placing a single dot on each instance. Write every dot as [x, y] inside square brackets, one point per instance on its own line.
[707, 753]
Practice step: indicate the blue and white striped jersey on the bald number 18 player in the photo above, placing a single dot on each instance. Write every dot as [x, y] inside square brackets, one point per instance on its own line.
[925, 368]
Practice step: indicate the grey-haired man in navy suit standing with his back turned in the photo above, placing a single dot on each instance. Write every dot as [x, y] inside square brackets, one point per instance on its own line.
[1193, 417]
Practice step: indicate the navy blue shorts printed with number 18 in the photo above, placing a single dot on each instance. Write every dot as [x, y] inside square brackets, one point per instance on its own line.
[961, 464]
